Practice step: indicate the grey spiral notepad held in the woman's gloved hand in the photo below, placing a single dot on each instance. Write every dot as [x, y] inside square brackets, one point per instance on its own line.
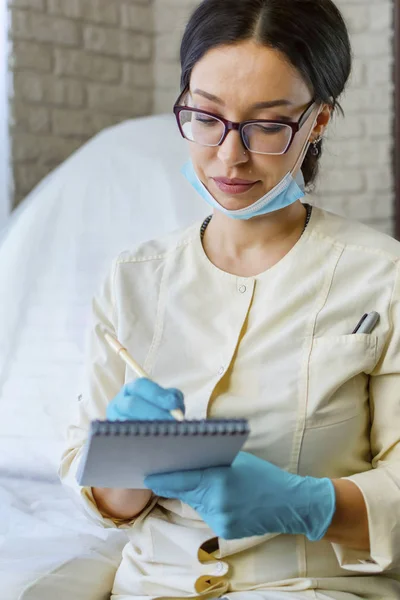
[121, 454]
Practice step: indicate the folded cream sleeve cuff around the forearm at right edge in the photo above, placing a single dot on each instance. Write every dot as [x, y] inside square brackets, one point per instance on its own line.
[381, 490]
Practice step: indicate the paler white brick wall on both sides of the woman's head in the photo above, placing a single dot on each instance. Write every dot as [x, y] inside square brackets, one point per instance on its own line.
[356, 176]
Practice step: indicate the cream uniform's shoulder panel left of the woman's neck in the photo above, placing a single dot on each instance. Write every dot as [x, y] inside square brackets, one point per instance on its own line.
[159, 249]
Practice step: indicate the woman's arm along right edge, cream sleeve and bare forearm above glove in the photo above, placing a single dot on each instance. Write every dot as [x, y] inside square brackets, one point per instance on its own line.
[373, 513]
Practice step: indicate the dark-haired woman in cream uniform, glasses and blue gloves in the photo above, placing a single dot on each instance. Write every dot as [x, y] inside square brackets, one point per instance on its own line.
[251, 315]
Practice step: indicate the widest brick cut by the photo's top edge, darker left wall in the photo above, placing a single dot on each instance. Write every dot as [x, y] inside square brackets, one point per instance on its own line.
[98, 11]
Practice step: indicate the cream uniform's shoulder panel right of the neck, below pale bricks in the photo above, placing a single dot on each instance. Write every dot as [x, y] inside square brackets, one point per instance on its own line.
[355, 237]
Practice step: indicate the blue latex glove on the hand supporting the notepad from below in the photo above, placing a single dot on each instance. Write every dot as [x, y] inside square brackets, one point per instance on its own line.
[252, 497]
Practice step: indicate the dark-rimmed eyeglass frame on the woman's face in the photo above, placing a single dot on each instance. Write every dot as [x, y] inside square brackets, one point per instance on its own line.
[232, 126]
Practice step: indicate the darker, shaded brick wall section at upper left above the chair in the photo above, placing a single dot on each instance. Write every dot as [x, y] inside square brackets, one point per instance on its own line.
[78, 66]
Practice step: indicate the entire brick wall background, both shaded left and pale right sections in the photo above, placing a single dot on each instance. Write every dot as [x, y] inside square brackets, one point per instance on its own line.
[80, 65]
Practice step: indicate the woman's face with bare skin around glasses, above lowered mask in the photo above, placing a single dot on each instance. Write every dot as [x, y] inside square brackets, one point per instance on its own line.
[237, 78]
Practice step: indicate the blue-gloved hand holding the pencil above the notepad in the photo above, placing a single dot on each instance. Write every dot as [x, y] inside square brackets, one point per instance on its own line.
[144, 400]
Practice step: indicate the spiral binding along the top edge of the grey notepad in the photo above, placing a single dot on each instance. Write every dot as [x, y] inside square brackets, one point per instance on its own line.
[170, 428]
